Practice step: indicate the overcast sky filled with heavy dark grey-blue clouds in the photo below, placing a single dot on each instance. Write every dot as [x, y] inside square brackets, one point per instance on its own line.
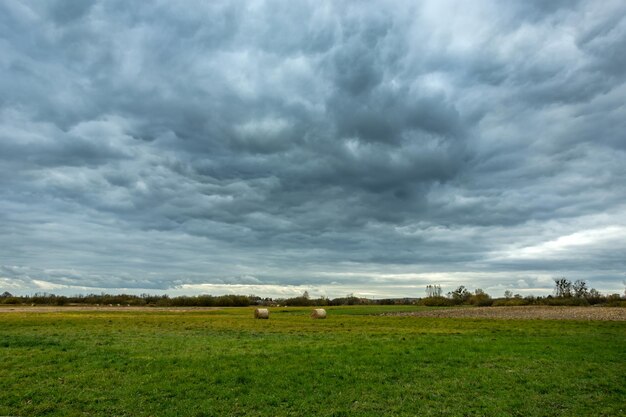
[338, 147]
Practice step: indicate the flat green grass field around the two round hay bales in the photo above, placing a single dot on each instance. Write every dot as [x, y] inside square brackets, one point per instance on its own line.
[225, 363]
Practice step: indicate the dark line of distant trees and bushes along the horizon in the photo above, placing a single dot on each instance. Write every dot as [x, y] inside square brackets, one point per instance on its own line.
[566, 292]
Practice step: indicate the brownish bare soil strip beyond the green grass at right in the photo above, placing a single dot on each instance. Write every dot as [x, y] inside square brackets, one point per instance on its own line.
[524, 313]
